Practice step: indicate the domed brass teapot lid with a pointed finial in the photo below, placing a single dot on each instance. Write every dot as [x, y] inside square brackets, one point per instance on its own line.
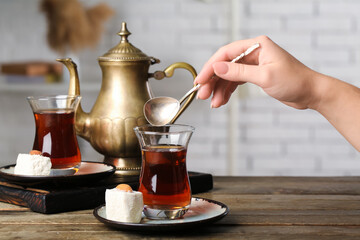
[125, 51]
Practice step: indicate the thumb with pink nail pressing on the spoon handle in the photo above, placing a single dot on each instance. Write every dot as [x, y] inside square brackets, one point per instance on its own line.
[237, 72]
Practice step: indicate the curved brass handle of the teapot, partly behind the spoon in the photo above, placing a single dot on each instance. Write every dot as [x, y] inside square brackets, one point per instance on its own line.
[168, 72]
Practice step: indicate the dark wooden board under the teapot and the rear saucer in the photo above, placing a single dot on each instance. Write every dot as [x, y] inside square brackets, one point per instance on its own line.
[55, 199]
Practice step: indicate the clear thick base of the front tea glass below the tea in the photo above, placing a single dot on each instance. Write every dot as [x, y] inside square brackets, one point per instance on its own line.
[153, 213]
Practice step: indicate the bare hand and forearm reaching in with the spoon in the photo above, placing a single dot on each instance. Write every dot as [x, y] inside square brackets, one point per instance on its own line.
[284, 78]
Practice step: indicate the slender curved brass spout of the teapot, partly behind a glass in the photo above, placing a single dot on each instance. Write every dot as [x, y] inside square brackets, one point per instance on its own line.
[82, 120]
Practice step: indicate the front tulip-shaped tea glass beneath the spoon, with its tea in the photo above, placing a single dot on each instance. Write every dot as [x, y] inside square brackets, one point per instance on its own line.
[164, 180]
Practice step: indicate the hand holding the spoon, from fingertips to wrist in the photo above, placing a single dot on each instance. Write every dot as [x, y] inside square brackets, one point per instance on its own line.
[270, 67]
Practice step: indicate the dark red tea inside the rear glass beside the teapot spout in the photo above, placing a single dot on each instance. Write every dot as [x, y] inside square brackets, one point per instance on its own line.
[55, 137]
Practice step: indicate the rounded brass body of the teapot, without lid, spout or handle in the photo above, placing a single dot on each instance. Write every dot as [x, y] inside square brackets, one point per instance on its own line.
[118, 109]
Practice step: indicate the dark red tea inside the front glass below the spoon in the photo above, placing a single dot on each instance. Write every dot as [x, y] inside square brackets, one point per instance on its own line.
[164, 181]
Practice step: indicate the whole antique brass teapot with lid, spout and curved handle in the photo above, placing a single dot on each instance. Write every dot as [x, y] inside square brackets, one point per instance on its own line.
[119, 106]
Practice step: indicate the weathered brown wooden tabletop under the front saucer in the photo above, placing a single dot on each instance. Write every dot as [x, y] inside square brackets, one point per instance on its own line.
[260, 208]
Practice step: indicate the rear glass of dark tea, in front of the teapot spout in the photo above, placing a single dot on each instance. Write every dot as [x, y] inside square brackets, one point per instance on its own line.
[55, 133]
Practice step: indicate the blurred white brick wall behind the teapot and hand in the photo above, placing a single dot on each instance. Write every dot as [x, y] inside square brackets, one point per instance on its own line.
[253, 134]
